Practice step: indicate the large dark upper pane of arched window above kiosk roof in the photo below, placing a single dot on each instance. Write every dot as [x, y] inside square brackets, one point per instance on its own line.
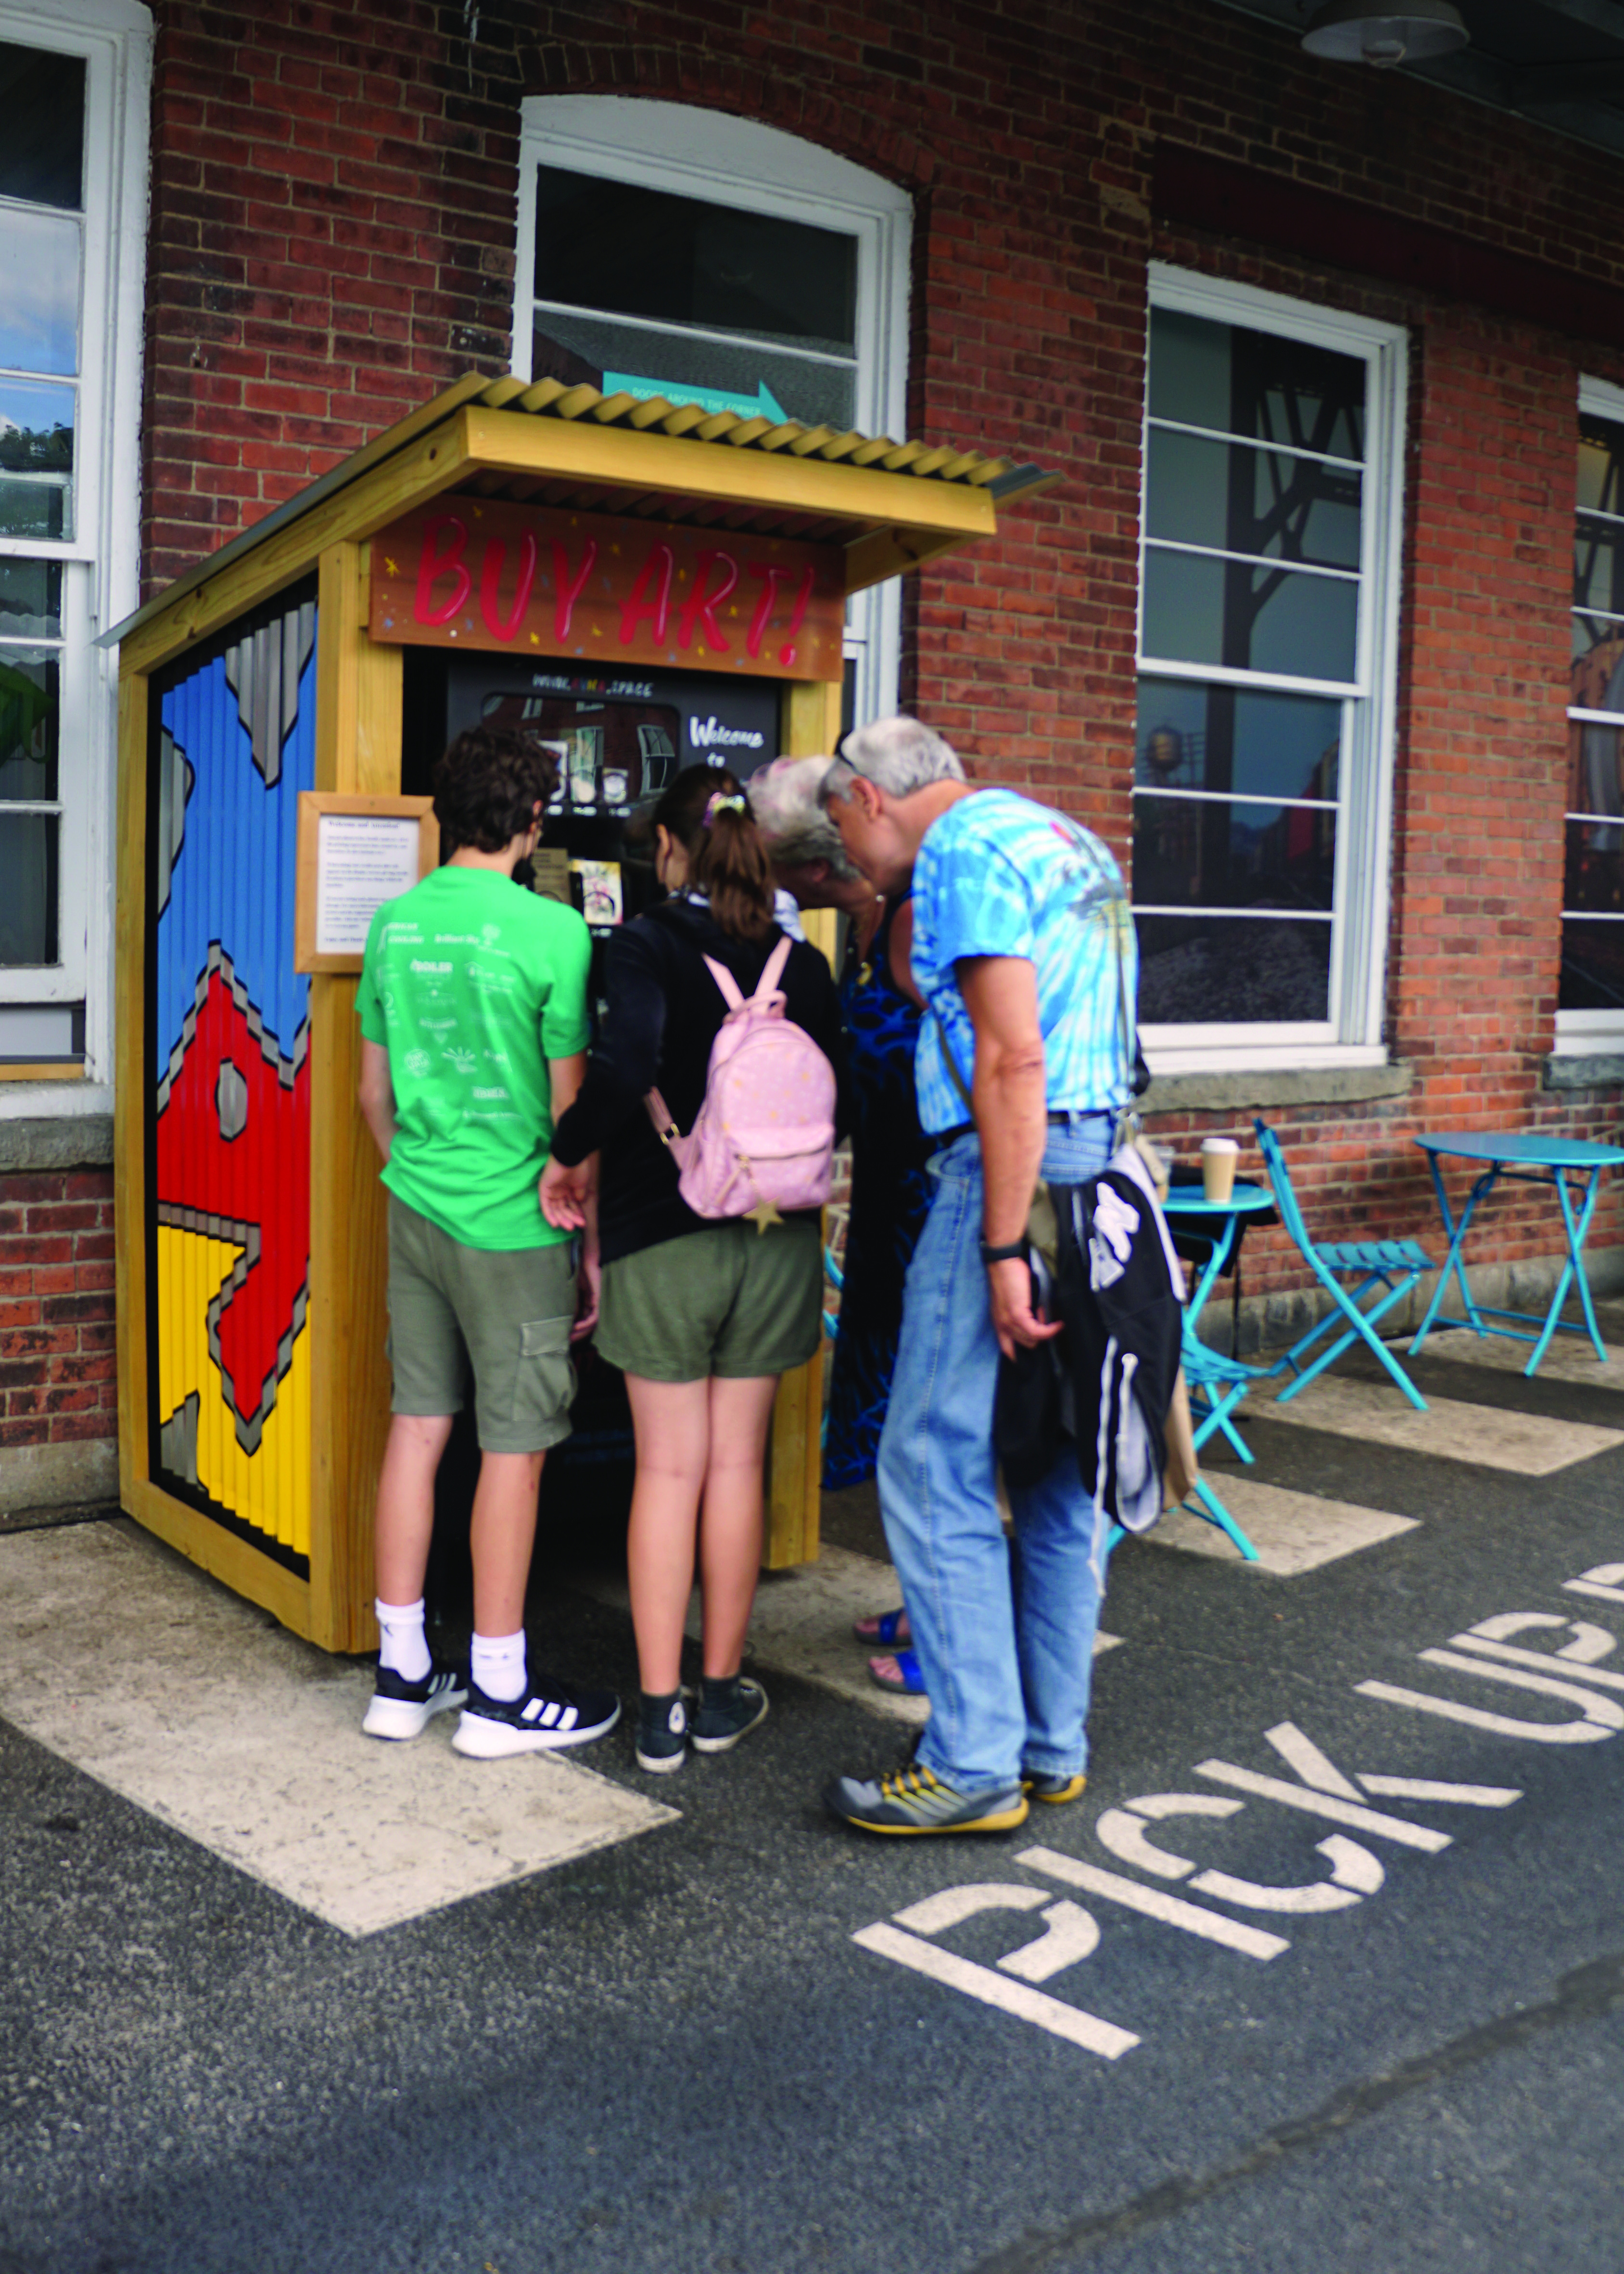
[679, 260]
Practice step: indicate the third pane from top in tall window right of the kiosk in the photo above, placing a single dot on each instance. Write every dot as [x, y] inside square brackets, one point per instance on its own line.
[1250, 620]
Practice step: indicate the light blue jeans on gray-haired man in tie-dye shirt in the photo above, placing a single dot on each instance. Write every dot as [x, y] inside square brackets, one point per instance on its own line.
[1006, 1657]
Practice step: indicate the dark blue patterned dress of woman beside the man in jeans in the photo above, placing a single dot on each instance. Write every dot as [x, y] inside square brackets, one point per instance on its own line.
[890, 1195]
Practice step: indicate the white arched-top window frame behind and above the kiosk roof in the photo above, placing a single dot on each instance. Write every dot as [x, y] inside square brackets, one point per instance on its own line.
[695, 153]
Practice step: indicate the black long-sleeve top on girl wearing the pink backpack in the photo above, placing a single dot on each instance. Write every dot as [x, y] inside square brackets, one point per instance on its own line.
[661, 1020]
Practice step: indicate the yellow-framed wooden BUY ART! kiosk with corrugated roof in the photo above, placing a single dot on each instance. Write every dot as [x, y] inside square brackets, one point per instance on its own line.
[590, 551]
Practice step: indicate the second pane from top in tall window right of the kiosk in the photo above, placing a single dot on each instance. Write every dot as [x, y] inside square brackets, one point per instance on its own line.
[1252, 501]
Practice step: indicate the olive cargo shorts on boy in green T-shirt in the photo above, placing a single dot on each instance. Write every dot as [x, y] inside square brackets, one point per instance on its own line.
[504, 1313]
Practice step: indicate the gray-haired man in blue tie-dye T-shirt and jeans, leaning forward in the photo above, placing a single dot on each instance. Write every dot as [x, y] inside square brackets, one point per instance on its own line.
[1020, 924]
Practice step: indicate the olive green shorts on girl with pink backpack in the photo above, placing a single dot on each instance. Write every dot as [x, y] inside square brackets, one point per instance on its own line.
[727, 1302]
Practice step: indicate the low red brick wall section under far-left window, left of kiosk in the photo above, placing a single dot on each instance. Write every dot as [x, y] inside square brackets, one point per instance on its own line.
[58, 1309]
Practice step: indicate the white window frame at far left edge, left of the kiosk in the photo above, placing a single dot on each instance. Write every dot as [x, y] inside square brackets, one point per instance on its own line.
[101, 565]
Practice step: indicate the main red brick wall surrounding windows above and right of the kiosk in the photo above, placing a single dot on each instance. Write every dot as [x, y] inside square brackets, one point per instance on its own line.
[333, 240]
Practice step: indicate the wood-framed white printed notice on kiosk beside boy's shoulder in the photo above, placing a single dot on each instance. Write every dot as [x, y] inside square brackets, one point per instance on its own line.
[356, 854]
